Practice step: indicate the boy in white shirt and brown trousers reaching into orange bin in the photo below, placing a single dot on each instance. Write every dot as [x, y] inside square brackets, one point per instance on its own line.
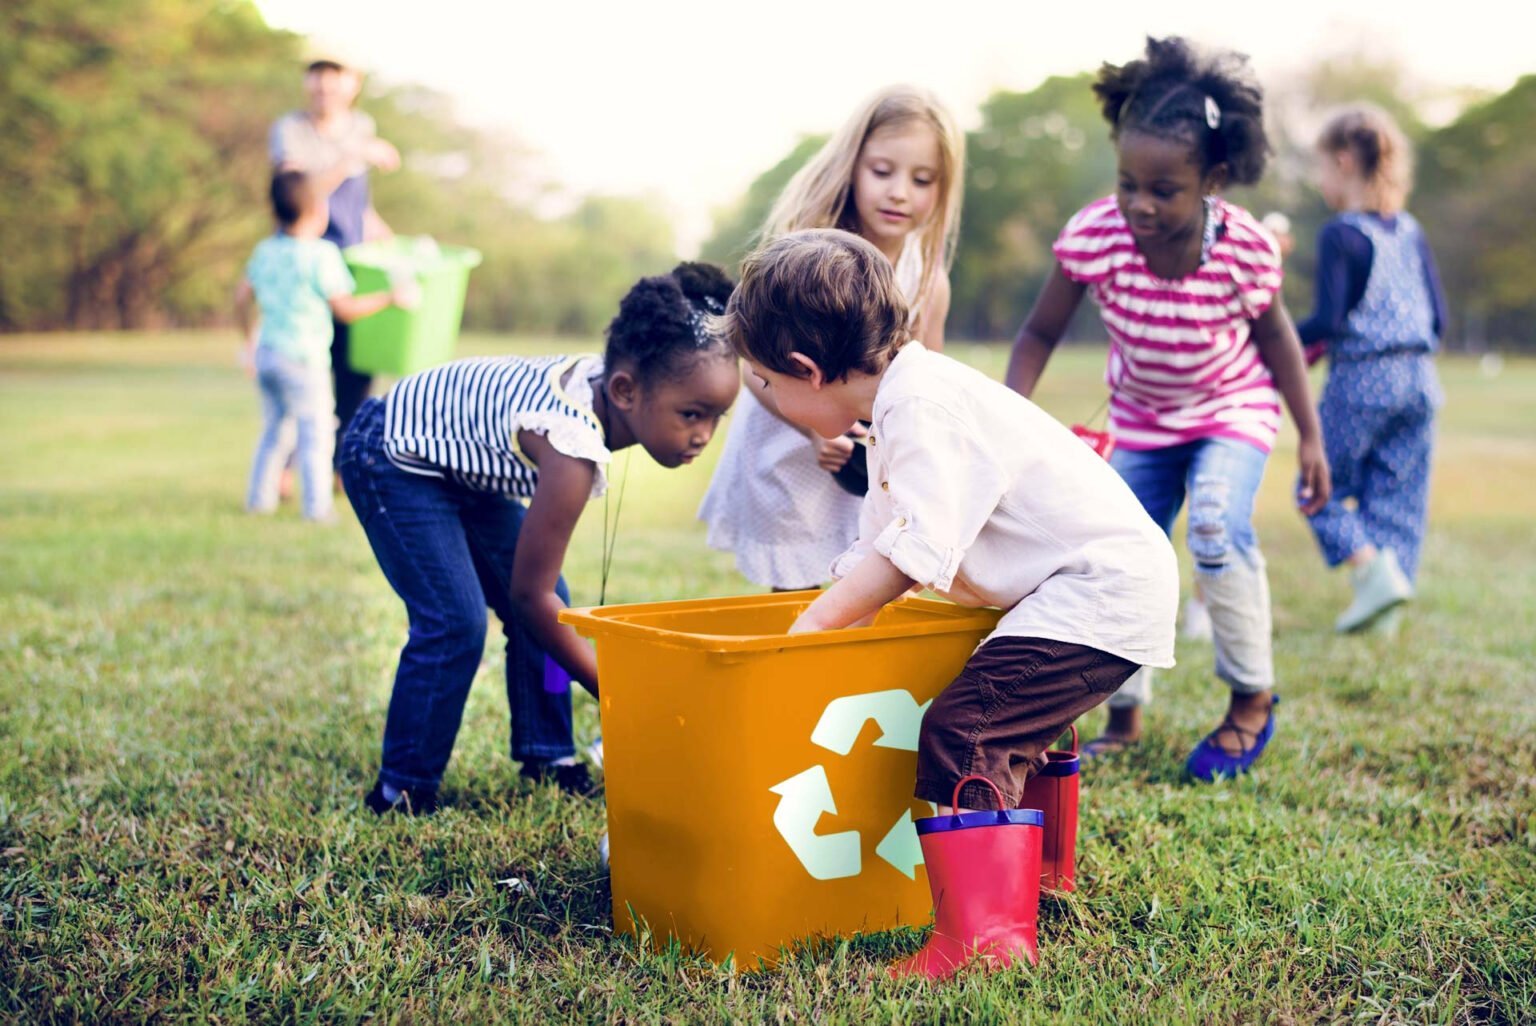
[976, 494]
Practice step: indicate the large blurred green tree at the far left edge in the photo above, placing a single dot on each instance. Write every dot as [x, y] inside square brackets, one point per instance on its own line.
[130, 127]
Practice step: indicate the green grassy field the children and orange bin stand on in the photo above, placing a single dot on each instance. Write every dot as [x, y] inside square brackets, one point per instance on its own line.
[191, 703]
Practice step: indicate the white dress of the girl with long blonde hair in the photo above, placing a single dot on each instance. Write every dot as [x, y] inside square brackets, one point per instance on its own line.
[770, 503]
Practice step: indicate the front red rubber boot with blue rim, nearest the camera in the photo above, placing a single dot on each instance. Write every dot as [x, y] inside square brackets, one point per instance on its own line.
[984, 870]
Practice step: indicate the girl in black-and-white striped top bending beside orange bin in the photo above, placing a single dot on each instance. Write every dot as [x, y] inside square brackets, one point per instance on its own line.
[471, 478]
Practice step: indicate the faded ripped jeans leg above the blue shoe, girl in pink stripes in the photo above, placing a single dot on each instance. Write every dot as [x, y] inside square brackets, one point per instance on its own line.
[1223, 482]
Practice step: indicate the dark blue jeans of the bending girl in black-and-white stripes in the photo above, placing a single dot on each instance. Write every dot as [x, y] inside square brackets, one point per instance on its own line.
[448, 552]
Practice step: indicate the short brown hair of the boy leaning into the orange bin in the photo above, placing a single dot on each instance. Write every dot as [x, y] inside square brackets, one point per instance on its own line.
[821, 293]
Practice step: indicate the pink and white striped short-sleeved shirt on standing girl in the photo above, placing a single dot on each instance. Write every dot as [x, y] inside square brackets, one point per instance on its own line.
[1182, 360]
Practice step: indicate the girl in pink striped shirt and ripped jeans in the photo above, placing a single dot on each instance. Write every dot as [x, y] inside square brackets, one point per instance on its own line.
[1200, 343]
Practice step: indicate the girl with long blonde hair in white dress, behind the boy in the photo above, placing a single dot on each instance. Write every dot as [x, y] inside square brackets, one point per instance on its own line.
[893, 176]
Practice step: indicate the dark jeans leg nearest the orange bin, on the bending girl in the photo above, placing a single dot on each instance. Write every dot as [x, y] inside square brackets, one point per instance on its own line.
[541, 717]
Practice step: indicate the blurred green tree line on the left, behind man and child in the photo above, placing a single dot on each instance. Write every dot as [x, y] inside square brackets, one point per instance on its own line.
[133, 182]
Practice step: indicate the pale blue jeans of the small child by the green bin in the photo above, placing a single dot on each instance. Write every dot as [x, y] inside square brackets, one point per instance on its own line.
[299, 394]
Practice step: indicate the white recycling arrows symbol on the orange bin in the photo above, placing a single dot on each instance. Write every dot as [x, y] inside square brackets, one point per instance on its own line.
[806, 796]
